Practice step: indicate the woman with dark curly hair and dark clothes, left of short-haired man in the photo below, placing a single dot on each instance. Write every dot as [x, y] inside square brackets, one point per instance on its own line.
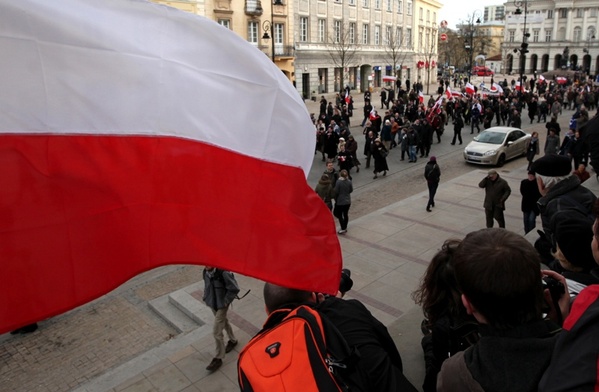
[447, 328]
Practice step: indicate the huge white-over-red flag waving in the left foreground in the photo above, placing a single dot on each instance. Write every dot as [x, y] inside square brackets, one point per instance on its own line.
[132, 136]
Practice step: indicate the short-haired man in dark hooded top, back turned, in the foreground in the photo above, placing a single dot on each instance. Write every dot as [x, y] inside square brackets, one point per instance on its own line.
[497, 274]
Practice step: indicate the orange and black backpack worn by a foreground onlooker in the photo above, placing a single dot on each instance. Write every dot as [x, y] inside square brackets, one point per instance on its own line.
[297, 350]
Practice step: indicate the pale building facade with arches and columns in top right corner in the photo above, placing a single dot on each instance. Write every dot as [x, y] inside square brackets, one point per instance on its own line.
[561, 35]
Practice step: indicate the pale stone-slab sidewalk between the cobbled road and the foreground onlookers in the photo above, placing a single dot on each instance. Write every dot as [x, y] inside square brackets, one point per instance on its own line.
[387, 251]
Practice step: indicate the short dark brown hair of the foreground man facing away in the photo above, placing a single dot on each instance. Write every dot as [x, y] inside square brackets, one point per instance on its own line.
[499, 272]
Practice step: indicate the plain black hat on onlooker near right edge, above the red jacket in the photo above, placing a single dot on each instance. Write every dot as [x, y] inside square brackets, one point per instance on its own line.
[573, 234]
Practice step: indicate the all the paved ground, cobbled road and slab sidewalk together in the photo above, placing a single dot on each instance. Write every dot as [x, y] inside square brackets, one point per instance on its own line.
[117, 343]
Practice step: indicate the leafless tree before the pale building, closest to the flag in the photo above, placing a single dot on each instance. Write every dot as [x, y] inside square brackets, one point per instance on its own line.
[342, 47]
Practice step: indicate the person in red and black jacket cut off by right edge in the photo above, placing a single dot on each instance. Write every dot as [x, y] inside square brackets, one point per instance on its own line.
[574, 362]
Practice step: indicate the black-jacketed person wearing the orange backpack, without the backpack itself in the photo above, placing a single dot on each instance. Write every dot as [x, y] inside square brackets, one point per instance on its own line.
[379, 365]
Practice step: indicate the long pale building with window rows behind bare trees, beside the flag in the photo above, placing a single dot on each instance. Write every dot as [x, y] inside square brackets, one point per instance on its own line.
[357, 42]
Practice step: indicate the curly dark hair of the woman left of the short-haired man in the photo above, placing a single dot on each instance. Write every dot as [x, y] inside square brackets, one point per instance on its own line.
[438, 292]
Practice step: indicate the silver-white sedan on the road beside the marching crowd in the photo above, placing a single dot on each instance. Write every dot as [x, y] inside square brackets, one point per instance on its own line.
[494, 146]
